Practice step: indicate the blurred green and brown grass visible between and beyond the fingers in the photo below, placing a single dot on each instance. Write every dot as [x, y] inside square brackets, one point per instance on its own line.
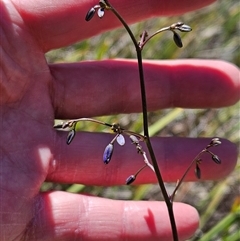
[216, 35]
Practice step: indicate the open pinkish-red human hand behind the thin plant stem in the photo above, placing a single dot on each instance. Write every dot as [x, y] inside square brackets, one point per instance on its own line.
[33, 93]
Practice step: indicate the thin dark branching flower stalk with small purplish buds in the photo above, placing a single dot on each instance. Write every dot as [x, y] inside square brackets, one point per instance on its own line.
[100, 9]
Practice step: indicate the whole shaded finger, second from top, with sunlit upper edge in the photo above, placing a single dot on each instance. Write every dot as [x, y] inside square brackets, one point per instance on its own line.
[108, 87]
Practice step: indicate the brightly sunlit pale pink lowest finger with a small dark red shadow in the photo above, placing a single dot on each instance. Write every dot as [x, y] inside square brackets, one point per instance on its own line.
[65, 216]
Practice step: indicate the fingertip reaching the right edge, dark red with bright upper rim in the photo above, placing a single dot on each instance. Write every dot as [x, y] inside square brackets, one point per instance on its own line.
[212, 83]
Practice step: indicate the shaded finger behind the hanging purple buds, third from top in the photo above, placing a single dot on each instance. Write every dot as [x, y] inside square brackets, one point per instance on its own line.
[82, 162]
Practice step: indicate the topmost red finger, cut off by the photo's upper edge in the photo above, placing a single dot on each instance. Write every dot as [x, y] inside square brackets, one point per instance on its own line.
[45, 17]
